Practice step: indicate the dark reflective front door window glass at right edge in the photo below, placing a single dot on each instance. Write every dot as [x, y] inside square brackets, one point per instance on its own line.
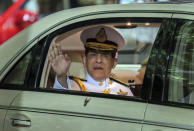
[181, 65]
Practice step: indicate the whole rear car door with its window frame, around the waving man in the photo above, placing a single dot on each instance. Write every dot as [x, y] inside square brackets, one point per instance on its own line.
[37, 108]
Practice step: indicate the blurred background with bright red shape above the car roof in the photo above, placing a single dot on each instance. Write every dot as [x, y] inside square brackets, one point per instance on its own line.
[15, 15]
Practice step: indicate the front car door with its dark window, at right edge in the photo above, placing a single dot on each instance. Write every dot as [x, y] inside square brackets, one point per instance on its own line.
[171, 102]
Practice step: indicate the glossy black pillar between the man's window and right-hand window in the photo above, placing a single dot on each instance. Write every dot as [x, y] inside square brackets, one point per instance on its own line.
[156, 69]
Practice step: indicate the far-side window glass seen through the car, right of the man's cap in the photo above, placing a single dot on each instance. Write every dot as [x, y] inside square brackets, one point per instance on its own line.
[139, 41]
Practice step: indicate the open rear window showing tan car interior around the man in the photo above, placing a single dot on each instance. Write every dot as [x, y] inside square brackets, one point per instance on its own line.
[139, 36]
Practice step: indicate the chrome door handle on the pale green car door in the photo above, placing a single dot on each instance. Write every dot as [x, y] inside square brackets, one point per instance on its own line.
[21, 123]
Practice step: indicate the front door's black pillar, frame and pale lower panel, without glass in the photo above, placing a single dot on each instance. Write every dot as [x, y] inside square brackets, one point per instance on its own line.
[162, 114]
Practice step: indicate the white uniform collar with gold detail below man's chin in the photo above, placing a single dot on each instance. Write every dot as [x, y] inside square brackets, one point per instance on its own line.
[103, 83]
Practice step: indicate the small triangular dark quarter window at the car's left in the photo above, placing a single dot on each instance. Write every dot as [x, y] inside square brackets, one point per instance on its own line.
[25, 70]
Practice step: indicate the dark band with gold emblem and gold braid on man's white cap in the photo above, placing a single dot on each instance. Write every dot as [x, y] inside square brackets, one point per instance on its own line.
[101, 42]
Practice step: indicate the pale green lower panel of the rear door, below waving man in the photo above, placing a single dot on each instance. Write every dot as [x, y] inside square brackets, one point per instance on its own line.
[49, 109]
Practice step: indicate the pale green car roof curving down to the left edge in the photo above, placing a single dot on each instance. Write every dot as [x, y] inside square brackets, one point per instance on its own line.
[18, 43]
